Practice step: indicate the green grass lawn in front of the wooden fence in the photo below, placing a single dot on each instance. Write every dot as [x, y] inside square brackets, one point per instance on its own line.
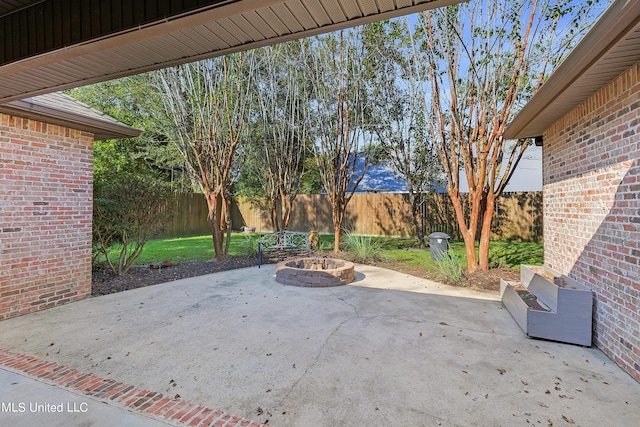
[395, 250]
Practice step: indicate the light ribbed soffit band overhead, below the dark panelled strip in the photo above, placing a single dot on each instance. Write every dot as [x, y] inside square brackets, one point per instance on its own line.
[230, 27]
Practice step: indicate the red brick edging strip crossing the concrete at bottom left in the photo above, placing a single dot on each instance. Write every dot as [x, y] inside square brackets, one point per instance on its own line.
[144, 402]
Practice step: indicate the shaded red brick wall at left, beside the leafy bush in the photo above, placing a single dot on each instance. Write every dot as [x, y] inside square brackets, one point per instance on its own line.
[46, 192]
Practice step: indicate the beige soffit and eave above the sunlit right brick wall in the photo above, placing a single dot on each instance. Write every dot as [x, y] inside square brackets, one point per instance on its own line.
[609, 49]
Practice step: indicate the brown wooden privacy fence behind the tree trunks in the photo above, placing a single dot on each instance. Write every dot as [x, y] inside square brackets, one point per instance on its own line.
[518, 215]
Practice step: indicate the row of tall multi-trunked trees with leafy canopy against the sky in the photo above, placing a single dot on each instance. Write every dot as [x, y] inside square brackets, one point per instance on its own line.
[430, 94]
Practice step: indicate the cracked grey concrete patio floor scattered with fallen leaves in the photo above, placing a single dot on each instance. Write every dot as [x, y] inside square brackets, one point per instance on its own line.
[389, 349]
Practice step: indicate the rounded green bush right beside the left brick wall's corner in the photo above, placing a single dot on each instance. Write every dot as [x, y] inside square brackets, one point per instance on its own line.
[129, 209]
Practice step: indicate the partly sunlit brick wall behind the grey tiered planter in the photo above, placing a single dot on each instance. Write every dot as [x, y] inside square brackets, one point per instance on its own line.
[592, 210]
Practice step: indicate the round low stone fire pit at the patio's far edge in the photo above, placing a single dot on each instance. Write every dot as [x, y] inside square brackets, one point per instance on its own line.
[315, 272]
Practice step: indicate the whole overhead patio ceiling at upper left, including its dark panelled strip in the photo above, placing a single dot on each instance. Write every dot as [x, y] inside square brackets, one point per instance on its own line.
[51, 45]
